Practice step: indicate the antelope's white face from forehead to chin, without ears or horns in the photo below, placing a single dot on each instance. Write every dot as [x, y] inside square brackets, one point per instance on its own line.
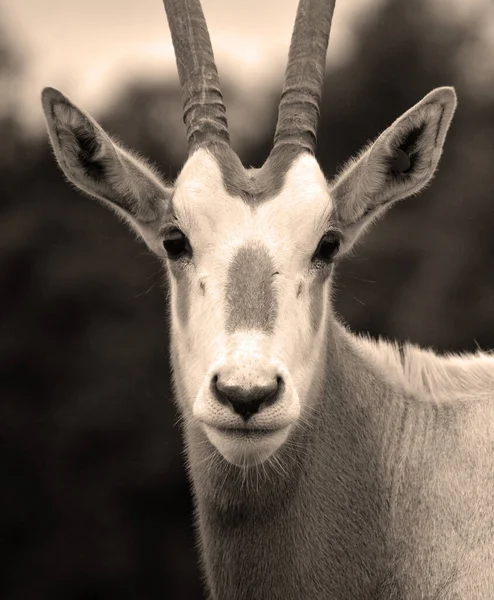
[248, 304]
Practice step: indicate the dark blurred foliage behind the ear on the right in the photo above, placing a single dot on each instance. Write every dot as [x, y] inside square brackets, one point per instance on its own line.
[430, 259]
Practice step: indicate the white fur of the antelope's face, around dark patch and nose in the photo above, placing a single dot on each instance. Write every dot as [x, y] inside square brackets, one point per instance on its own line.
[203, 345]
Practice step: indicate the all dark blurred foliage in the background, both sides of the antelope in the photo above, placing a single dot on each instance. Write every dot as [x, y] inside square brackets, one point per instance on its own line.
[95, 502]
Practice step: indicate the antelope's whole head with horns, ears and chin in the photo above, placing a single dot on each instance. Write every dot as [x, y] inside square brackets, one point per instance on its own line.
[250, 252]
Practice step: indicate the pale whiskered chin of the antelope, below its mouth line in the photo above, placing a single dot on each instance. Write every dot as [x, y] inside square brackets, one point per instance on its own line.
[246, 447]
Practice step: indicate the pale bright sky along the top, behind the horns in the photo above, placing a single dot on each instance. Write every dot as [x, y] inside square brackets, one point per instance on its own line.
[90, 48]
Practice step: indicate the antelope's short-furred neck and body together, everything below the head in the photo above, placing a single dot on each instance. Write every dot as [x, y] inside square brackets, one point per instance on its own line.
[385, 493]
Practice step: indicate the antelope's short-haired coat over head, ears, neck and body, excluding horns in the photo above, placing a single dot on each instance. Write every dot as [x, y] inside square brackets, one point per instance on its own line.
[378, 481]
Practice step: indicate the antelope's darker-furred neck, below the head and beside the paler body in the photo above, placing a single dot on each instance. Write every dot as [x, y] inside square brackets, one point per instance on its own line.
[312, 505]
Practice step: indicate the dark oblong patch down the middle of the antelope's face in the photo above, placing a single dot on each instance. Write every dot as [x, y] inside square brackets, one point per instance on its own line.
[250, 295]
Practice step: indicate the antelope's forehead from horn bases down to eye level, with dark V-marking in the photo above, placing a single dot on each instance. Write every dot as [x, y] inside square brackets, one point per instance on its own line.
[228, 200]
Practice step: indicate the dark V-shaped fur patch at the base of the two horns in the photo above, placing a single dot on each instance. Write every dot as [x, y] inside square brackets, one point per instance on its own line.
[254, 186]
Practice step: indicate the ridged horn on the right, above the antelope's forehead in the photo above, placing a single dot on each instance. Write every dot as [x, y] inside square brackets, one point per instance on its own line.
[300, 103]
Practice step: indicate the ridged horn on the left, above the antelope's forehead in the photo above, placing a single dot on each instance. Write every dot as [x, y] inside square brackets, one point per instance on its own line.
[204, 110]
